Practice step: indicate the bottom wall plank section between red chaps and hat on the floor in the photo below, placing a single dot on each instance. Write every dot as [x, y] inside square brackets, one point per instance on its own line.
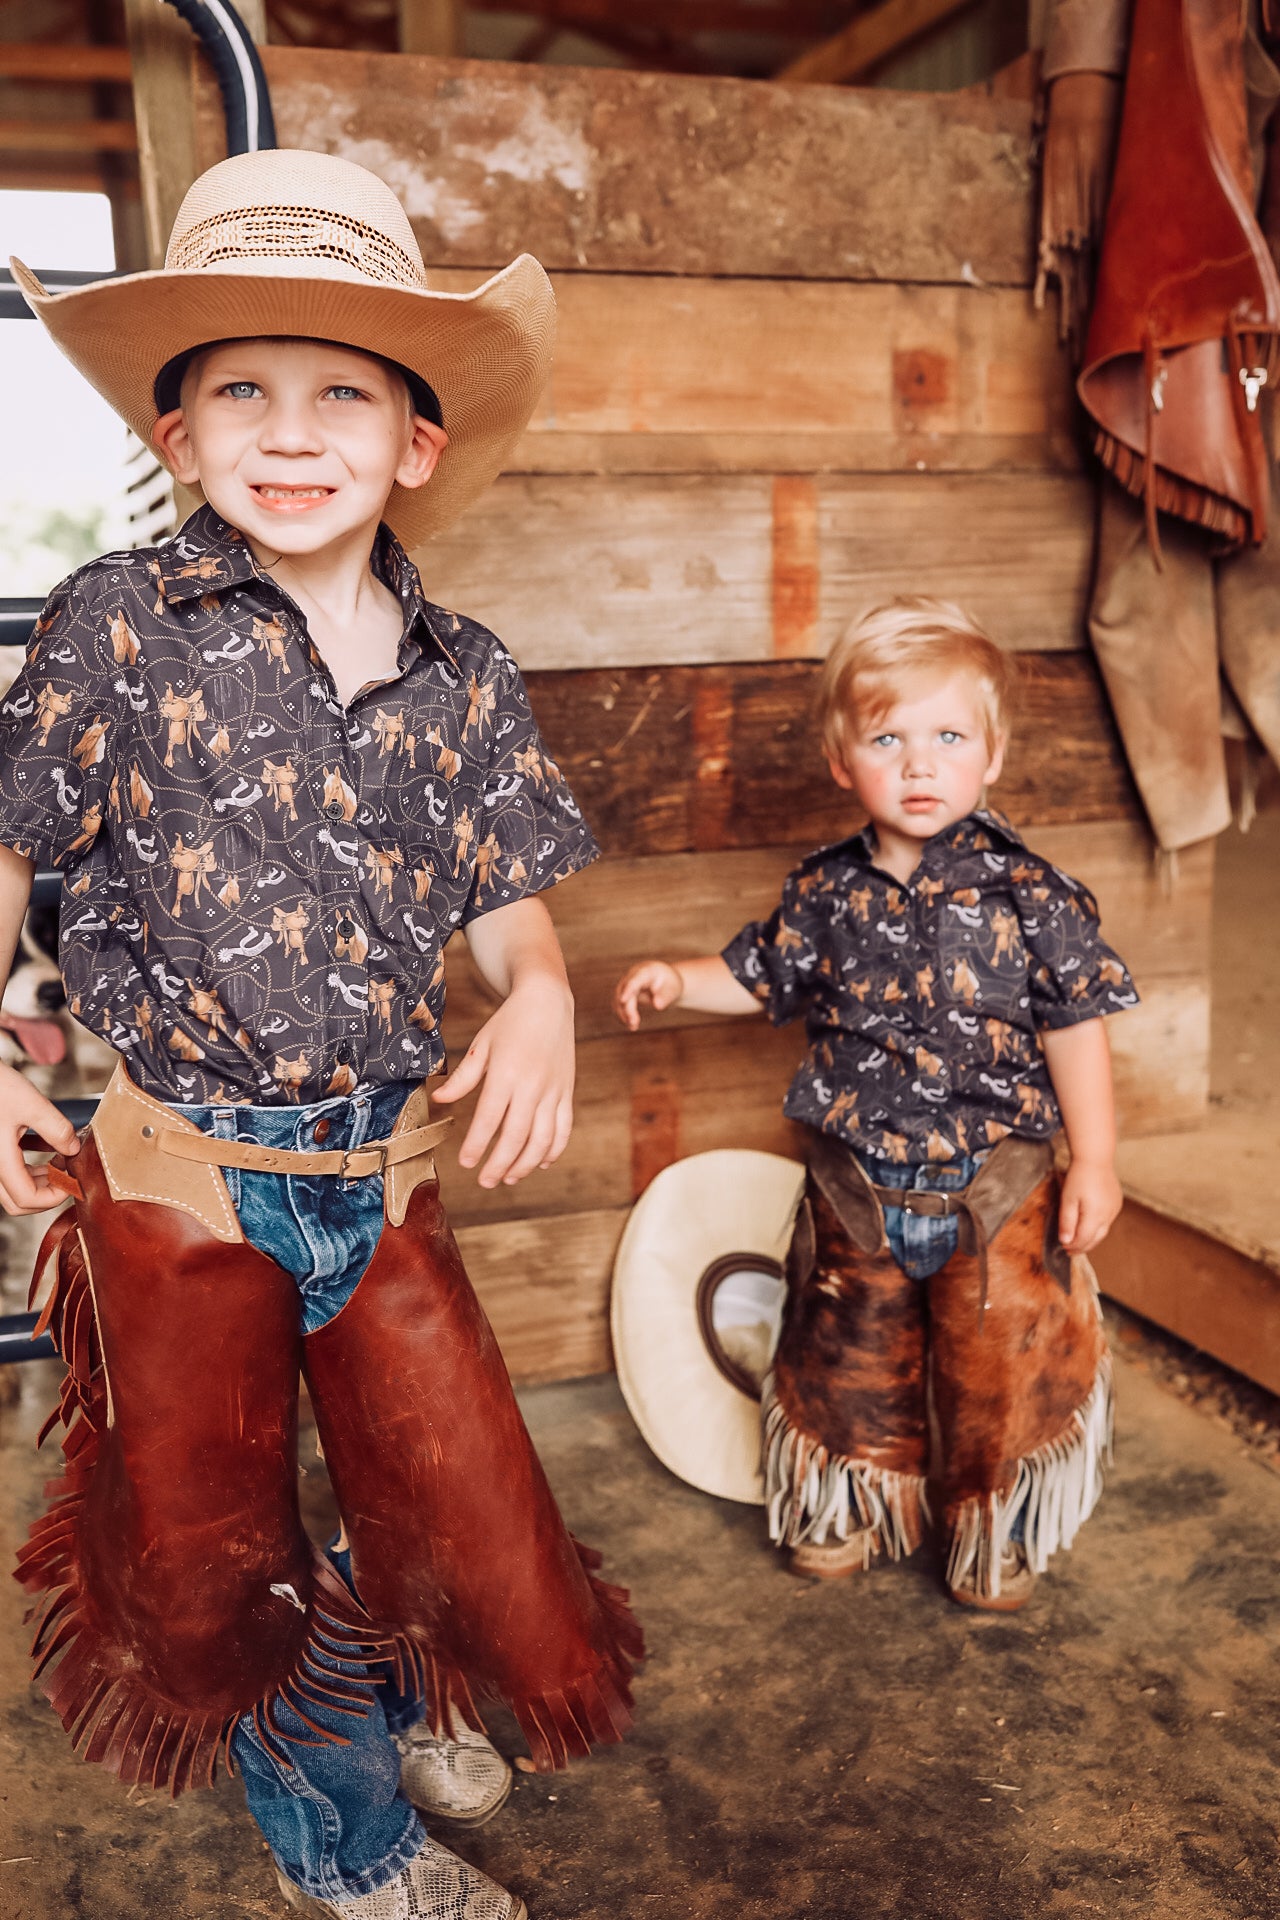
[544, 1285]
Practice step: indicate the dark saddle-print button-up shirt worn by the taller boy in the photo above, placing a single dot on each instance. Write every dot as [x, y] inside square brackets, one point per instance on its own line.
[260, 882]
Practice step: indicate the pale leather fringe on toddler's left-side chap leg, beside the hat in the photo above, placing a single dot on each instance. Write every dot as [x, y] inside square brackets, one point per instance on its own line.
[813, 1495]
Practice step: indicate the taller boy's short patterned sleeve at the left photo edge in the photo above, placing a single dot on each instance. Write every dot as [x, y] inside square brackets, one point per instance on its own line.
[59, 732]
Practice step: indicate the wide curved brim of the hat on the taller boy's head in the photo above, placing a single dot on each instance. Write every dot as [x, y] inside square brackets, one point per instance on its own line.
[486, 354]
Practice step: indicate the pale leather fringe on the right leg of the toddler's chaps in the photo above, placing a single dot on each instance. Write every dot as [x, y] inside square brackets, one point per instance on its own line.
[1058, 1485]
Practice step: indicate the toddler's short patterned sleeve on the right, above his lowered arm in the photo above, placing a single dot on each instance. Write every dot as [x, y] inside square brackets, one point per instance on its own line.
[1074, 974]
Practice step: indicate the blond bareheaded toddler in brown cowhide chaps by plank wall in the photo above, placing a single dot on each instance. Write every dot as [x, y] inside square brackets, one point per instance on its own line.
[953, 988]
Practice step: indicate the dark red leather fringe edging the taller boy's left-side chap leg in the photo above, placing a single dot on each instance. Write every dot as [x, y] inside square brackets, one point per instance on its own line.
[105, 1708]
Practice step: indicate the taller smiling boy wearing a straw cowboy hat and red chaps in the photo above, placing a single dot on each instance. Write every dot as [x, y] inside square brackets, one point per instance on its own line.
[281, 780]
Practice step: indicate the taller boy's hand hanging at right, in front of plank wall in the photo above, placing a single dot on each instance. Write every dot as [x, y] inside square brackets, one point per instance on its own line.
[525, 1057]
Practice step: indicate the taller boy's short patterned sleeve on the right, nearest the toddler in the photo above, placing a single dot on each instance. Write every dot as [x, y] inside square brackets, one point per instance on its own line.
[531, 834]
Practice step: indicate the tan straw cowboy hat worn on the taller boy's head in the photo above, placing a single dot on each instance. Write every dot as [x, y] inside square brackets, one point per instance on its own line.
[308, 245]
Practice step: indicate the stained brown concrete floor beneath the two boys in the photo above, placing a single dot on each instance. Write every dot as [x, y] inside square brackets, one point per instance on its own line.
[805, 1752]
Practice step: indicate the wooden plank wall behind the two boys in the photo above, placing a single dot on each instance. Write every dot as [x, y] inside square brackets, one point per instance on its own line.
[799, 370]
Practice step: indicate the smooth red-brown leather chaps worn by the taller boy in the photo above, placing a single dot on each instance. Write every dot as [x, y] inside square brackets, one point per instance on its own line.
[179, 1585]
